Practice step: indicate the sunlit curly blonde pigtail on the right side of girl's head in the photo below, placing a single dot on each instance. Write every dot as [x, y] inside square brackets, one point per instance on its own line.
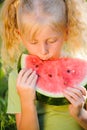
[77, 28]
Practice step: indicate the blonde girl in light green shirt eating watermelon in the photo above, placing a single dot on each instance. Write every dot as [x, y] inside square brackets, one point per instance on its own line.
[43, 26]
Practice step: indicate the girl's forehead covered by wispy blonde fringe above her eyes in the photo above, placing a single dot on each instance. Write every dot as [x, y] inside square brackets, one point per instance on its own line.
[32, 26]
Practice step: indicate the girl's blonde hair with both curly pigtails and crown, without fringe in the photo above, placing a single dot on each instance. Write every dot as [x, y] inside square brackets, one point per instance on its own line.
[74, 17]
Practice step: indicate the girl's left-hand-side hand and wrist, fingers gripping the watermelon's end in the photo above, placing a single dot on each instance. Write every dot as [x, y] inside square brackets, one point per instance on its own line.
[26, 84]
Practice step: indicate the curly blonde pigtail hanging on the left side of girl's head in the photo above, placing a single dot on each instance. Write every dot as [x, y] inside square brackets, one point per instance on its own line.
[10, 38]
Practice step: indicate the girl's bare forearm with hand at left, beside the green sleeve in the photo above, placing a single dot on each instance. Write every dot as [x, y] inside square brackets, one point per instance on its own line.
[27, 119]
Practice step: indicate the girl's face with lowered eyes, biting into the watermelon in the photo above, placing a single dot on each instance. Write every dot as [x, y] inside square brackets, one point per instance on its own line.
[46, 44]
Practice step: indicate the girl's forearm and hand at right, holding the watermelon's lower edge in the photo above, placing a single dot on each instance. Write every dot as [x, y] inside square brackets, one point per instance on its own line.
[77, 97]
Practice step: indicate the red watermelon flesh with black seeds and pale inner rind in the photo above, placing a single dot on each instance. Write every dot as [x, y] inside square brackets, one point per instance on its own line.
[56, 75]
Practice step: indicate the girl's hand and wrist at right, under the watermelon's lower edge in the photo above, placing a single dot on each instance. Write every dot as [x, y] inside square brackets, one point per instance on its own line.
[77, 97]
